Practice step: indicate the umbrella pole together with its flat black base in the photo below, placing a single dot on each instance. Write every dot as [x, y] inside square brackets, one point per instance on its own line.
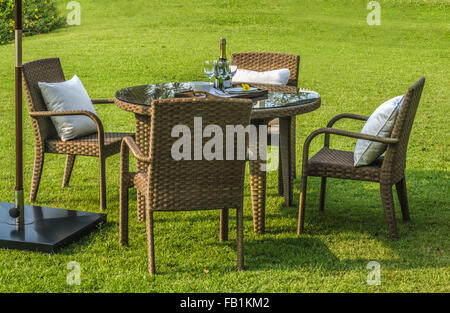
[38, 228]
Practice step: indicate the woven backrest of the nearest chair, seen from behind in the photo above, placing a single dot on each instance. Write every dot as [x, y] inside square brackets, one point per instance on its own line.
[195, 184]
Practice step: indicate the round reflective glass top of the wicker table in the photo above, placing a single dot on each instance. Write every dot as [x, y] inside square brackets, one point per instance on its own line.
[278, 96]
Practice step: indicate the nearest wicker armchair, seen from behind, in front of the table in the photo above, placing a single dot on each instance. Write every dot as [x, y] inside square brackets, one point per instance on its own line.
[184, 185]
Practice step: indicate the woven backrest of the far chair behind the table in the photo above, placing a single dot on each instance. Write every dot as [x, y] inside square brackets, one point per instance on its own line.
[267, 61]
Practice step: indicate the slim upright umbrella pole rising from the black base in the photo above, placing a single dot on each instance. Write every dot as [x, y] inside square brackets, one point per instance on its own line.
[19, 197]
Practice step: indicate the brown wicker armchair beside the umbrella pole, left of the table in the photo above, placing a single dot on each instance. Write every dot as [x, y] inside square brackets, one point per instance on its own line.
[101, 145]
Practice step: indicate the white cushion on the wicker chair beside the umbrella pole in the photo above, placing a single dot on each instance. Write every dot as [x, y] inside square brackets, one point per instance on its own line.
[69, 96]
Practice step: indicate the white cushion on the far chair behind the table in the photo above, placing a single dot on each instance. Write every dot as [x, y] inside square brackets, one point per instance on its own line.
[276, 77]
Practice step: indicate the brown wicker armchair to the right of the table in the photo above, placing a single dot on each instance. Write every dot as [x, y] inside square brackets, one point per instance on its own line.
[387, 171]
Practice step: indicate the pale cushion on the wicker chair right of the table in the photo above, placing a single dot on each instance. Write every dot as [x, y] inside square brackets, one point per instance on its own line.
[380, 123]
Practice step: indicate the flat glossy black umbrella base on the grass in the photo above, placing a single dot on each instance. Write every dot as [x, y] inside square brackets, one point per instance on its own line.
[45, 229]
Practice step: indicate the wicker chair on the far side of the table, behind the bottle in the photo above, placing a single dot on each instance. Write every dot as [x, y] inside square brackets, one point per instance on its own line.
[267, 61]
